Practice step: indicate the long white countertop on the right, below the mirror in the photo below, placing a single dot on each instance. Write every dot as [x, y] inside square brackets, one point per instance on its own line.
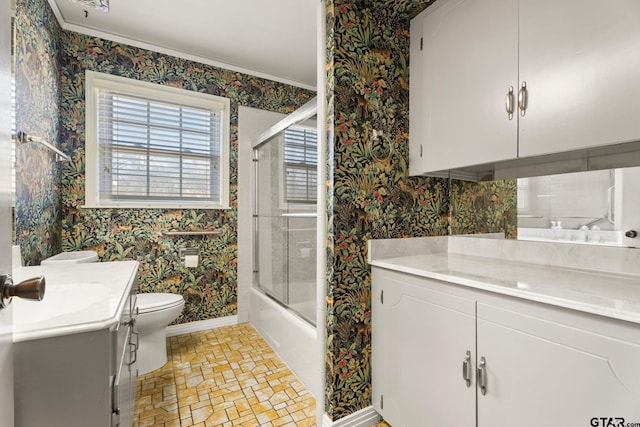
[614, 294]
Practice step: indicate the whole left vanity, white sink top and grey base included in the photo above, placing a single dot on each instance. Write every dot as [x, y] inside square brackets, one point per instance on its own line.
[75, 351]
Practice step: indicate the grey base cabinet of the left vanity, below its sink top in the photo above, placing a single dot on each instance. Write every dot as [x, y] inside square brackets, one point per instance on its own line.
[80, 379]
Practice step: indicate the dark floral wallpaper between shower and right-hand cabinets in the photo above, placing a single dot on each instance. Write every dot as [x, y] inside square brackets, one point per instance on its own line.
[370, 193]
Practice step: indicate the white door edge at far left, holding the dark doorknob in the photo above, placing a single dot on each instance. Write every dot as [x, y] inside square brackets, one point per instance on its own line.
[6, 354]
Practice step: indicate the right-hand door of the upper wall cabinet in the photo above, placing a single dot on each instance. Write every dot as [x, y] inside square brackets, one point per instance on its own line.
[581, 65]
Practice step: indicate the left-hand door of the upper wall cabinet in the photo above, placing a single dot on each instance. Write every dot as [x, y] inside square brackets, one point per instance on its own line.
[469, 61]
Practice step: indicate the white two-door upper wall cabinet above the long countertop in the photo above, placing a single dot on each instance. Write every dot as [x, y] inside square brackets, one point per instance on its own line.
[498, 80]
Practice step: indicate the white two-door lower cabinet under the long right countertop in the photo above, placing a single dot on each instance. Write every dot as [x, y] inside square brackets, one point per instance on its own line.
[537, 364]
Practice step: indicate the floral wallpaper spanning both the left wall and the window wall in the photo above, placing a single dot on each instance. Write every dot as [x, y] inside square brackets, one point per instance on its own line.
[51, 66]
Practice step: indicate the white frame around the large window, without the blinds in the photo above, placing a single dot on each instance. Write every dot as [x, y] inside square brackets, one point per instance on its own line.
[94, 83]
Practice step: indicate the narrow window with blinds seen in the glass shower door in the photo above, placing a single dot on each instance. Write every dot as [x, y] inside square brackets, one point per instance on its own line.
[301, 165]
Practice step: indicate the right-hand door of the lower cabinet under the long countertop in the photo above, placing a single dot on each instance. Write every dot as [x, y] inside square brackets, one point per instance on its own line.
[544, 373]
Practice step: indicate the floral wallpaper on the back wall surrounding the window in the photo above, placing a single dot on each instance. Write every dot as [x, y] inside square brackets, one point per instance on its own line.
[209, 290]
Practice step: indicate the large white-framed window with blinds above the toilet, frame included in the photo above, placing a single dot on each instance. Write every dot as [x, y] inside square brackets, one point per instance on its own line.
[154, 146]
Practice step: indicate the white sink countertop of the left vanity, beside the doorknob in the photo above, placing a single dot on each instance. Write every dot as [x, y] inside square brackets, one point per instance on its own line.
[78, 298]
